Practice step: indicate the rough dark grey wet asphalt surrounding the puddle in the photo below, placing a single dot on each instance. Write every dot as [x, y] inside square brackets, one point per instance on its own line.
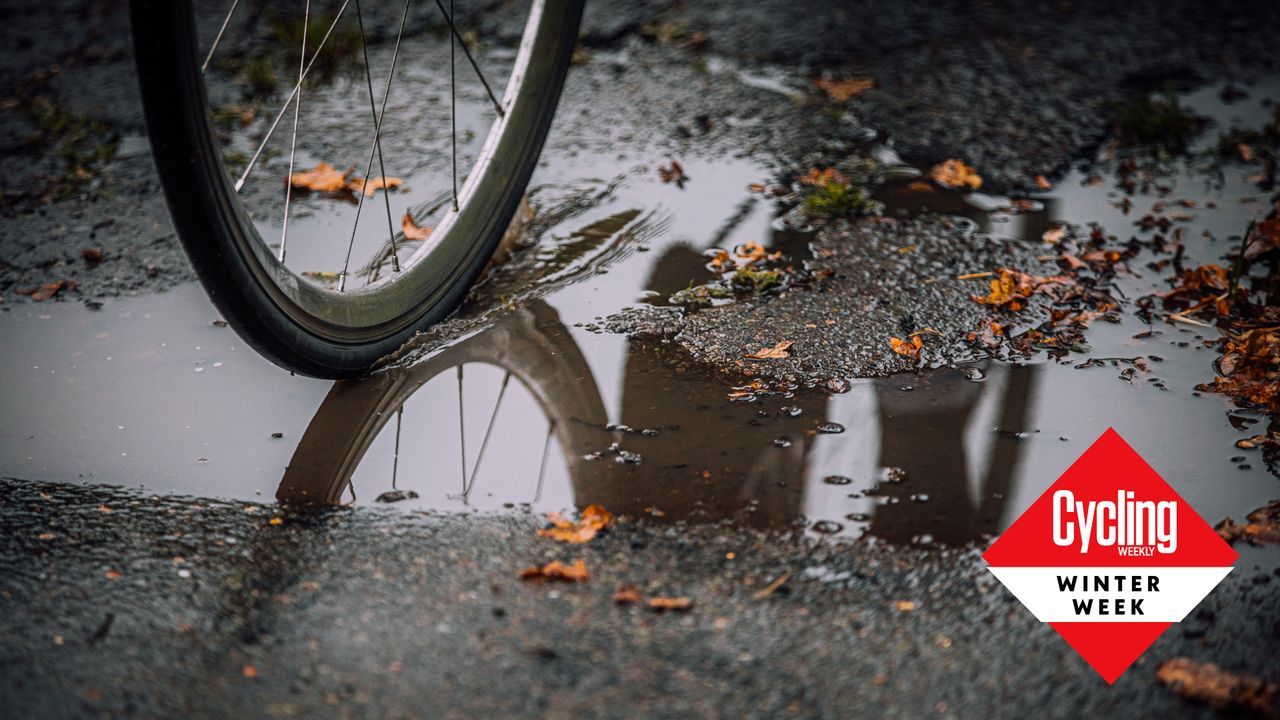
[121, 604]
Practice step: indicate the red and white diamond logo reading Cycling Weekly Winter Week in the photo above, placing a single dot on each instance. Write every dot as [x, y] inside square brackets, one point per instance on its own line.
[1110, 557]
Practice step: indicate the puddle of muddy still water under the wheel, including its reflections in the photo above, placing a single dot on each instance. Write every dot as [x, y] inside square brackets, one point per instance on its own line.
[538, 413]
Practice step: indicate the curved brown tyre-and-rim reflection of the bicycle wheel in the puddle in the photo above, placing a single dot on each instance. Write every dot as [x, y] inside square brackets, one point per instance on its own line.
[531, 347]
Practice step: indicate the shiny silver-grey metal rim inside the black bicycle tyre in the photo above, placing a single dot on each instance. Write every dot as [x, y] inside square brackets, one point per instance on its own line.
[442, 265]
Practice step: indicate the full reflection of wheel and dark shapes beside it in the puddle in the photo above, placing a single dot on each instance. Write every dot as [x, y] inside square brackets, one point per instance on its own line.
[531, 429]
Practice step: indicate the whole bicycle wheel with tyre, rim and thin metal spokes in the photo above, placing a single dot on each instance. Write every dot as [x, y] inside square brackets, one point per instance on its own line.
[319, 327]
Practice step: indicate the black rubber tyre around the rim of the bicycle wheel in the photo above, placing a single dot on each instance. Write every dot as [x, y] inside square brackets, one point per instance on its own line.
[214, 229]
